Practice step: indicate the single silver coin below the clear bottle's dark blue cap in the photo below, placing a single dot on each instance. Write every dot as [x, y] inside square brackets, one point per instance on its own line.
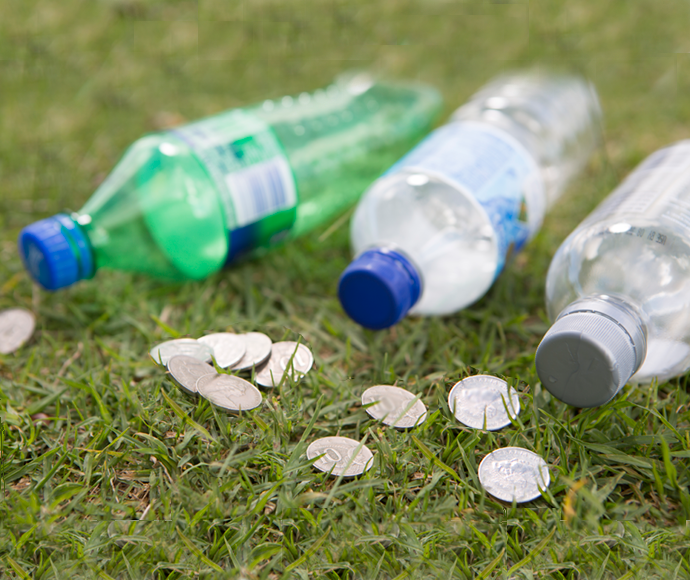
[394, 407]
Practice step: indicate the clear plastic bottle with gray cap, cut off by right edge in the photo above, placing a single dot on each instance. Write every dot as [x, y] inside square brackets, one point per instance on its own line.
[618, 288]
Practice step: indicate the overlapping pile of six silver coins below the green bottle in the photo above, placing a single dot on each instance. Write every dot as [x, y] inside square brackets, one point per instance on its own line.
[187, 360]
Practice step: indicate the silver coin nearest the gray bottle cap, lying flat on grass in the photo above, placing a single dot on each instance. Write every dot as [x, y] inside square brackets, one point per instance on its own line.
[473, 398]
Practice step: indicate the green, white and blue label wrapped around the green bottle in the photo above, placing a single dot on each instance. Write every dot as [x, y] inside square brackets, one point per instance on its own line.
[252, 174]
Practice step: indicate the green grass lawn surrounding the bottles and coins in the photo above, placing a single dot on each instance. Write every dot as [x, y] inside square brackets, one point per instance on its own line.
[109, 471]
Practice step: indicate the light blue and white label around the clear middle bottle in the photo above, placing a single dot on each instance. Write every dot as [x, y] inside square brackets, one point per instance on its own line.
[492, 167]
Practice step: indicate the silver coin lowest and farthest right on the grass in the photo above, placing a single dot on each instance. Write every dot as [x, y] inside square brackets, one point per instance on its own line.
[514, 473]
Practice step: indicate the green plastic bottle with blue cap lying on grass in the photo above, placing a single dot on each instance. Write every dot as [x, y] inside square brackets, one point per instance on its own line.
[183, 203]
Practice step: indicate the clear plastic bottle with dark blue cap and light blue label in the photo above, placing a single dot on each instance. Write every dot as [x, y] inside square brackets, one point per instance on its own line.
[434, 232]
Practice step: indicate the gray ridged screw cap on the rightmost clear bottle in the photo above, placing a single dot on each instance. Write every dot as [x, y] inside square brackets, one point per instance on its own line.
[590, 352]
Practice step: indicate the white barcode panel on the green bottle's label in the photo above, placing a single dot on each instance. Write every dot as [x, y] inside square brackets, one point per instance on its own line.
[261, 189]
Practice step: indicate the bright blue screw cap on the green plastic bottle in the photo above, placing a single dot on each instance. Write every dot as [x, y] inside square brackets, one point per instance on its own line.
[55, 252]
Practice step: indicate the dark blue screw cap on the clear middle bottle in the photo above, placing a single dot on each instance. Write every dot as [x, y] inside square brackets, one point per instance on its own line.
[378, 288]
